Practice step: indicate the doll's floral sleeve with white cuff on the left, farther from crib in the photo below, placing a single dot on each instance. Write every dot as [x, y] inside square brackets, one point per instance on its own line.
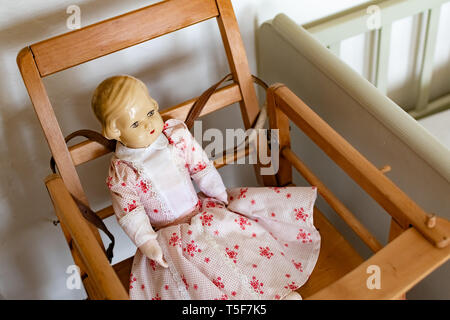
[131, 216]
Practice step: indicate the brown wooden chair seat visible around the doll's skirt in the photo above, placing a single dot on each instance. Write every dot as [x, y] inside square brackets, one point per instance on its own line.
[337, 257]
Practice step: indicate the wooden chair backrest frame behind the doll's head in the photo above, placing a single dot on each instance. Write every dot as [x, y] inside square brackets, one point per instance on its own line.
[65, 51]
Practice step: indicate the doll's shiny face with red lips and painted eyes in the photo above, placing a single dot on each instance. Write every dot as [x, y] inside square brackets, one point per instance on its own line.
[139, 125]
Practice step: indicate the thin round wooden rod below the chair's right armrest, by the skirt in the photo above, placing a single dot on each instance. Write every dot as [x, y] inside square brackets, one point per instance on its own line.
[333, 201]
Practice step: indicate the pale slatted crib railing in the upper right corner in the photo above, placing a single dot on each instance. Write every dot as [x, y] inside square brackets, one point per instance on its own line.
[331, 31]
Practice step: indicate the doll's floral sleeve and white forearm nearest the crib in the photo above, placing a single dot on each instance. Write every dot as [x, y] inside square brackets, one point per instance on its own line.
[201, 169]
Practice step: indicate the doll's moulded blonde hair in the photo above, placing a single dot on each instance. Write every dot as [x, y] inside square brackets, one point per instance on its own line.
[112, 96]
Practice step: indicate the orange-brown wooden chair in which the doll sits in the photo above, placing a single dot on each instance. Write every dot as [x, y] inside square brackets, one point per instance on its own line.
[419, 242]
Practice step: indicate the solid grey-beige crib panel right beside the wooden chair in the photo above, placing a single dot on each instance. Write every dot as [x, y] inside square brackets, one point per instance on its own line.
[370, 121]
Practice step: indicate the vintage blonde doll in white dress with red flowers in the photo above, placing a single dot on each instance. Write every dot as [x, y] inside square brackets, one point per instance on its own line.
[240, 243]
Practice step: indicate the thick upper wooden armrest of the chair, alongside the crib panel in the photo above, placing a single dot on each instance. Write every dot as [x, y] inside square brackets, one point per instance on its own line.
[382, 190]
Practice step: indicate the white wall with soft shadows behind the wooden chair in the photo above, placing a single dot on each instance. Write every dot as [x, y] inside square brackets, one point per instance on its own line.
[33, 253]
